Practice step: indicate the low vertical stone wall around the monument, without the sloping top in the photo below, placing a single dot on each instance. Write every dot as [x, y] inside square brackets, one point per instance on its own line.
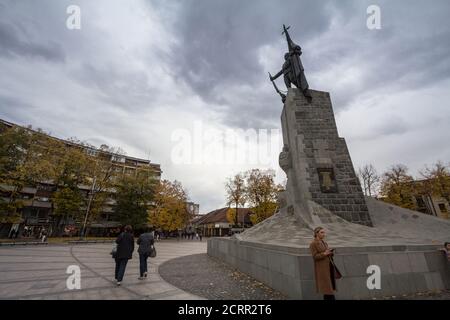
[404, 269]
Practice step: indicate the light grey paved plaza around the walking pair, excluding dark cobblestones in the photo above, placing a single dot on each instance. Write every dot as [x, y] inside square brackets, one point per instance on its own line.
[35, 272]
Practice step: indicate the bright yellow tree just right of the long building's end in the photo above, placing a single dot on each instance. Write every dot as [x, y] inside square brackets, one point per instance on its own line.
[169, 211]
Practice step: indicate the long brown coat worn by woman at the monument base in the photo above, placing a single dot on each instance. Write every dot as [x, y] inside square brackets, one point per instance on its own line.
[322, 263]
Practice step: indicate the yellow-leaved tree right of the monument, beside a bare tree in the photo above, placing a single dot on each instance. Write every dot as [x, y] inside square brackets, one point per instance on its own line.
[397, 187]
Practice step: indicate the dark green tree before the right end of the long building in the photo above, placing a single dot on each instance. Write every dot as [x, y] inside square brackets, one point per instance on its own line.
[134, 196]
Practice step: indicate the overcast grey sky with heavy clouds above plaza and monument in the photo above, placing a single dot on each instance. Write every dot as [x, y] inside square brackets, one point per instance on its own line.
[146, 75]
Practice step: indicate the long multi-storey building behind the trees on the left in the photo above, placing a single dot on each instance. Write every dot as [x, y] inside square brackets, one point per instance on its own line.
[38, 208]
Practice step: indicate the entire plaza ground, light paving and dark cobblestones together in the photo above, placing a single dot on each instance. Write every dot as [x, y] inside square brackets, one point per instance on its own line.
[181, 271]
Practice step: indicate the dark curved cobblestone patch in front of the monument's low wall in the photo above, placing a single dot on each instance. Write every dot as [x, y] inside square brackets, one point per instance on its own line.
[204, 276]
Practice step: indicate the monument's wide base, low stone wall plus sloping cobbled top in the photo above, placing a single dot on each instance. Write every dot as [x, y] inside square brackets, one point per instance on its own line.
[403, 243]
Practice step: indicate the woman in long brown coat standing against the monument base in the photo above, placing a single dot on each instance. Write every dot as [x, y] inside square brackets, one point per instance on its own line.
[324, 268]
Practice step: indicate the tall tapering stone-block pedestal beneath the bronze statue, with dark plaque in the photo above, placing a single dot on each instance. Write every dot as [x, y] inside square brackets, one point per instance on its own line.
[317, 163]
